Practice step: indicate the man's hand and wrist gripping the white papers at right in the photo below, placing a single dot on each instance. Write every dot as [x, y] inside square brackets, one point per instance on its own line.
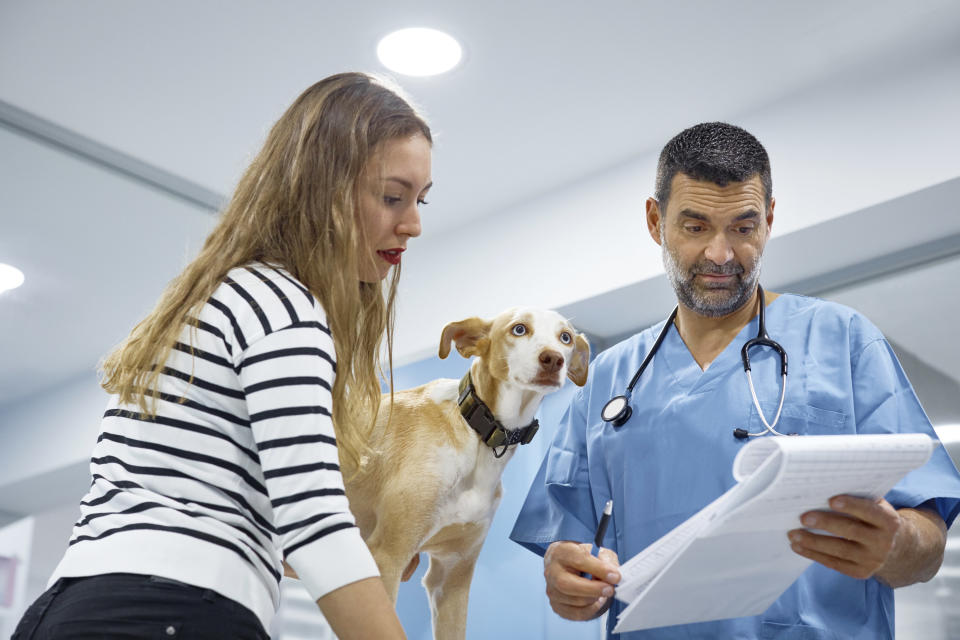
[872, 539]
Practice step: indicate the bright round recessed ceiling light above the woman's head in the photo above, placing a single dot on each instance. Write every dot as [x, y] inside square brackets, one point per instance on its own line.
[419, 52]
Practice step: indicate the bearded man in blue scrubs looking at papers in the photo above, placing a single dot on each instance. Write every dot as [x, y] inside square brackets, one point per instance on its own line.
[712, 216]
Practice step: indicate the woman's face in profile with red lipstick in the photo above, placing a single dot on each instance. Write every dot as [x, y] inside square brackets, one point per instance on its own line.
[391, 189]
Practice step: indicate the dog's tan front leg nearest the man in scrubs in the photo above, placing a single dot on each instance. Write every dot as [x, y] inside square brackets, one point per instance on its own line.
[447, 582]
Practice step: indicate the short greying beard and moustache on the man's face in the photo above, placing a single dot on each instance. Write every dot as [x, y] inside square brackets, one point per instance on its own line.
[712, 303]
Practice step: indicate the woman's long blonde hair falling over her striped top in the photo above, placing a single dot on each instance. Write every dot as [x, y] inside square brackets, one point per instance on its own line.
[295, 206]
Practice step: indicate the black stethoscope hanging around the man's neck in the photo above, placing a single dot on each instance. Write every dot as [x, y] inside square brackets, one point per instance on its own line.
[618, 410]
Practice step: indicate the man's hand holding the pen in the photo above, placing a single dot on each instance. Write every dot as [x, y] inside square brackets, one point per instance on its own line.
[572, 596]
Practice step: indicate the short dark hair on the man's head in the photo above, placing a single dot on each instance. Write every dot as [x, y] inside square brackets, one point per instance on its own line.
[716, 152]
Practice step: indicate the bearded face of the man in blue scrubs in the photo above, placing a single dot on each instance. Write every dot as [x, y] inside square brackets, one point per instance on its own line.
[712, 239]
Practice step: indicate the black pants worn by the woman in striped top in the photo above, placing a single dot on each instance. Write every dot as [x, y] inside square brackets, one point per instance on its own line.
[118, 606]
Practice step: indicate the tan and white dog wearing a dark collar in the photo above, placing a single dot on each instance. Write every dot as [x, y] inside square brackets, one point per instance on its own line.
[433, 483]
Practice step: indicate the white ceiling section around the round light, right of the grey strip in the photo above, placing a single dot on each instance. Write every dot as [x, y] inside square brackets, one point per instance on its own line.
[549, 91]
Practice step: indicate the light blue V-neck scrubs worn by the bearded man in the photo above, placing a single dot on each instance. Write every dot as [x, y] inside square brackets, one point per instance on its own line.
[675, 454]
